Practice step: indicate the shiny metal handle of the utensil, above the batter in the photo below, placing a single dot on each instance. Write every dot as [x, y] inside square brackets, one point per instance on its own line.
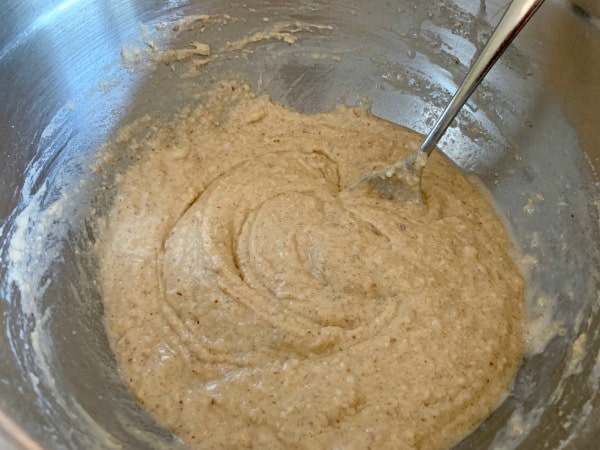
[514, 19]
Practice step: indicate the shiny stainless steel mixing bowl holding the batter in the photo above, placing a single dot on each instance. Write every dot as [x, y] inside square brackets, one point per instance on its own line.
[71, 71]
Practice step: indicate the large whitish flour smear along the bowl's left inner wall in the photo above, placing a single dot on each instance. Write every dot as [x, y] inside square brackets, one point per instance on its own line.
[34, 244]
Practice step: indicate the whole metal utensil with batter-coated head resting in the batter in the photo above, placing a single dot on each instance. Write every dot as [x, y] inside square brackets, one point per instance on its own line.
[403, 179]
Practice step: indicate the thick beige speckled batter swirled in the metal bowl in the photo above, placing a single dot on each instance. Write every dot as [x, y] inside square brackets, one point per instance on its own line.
[253, 302]
